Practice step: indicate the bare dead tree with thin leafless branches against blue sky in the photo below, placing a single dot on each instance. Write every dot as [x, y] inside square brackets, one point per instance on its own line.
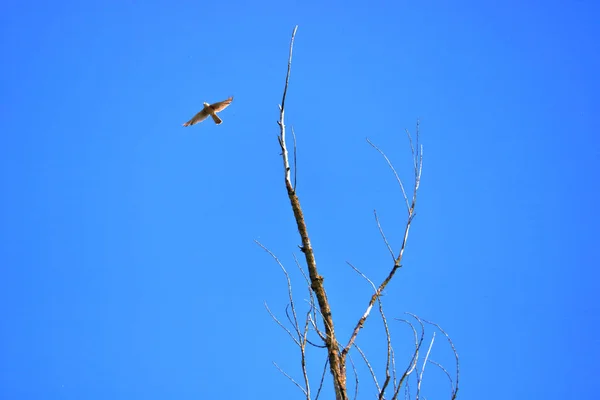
[318, 318]
